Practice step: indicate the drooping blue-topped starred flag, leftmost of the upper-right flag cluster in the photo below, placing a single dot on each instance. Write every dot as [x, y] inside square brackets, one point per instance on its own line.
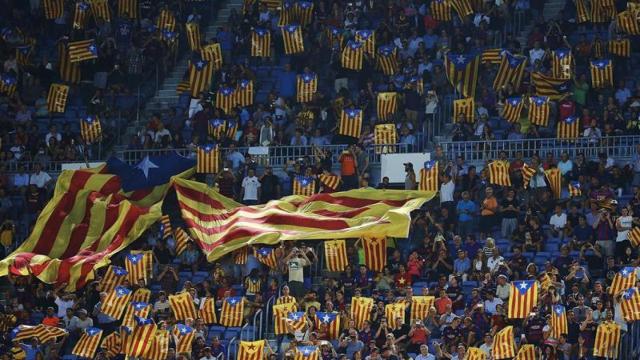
[462, 72]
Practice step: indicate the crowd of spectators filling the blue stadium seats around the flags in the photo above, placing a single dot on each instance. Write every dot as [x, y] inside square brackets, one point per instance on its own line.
[466, 247]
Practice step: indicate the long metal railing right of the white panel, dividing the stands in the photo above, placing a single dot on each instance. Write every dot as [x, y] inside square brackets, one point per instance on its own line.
[617, 147]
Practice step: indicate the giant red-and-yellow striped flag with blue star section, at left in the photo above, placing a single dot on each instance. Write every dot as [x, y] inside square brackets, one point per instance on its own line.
[93, 214]
